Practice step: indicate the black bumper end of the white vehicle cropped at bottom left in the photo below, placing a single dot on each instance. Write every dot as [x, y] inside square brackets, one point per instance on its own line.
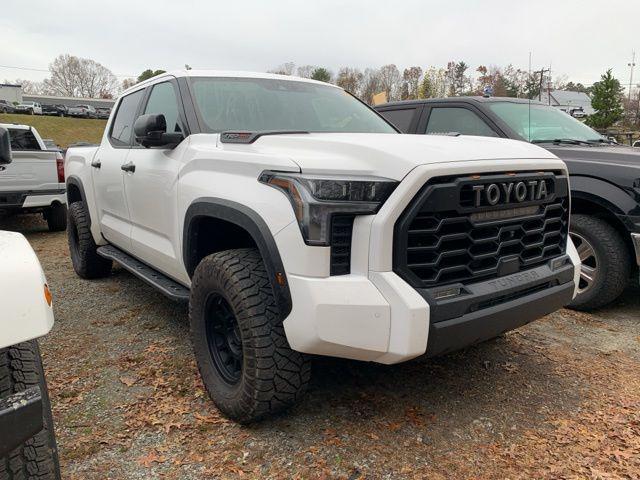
[20, 419]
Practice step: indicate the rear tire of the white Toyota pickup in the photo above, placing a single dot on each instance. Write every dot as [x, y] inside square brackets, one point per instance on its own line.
[82, 249]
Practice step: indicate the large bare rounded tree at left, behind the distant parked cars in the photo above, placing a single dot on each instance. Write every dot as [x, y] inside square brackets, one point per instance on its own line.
[80, 77]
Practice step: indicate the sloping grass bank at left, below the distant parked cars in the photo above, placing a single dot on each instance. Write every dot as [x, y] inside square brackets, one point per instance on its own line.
[63, 130]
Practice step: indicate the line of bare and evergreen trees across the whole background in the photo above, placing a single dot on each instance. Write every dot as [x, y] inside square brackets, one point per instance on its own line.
[72, 76]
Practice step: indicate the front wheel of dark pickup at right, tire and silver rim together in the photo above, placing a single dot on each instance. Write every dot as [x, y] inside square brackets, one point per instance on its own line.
[606, 262]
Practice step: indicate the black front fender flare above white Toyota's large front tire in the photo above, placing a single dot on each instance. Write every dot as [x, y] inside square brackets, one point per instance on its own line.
[249, 220]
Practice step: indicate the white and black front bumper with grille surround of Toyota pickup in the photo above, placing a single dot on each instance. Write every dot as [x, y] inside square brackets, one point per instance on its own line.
[372, 314]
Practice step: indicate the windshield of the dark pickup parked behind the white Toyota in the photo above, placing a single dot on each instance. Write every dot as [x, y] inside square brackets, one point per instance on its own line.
[547, 123]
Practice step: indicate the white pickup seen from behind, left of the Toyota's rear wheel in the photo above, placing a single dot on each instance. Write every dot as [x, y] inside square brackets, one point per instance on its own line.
[34, 181]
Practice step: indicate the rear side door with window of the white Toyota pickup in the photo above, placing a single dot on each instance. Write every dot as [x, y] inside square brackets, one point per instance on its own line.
[108, 176]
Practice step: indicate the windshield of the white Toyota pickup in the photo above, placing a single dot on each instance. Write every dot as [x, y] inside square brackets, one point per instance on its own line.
[258, 104]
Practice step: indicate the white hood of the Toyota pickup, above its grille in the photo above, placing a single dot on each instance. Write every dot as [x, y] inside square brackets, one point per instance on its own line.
[385, 155]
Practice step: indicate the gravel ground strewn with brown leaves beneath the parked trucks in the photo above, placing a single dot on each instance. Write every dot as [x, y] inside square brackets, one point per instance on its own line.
[559, 398]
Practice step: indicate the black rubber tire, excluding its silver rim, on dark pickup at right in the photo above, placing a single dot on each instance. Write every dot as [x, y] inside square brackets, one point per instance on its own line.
[613, 262]
